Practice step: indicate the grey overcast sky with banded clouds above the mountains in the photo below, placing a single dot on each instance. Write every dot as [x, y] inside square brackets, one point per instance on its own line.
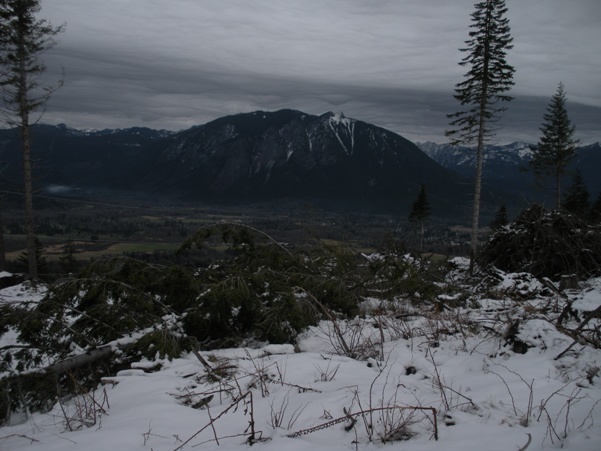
[173, 64]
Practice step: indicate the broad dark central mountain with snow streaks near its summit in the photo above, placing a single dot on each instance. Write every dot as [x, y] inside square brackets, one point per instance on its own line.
[329, 158]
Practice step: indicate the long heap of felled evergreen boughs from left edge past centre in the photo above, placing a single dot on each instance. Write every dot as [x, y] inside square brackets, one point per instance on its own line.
[260, 291]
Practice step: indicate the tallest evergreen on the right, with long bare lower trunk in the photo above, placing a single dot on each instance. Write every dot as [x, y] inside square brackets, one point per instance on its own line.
[488, 79]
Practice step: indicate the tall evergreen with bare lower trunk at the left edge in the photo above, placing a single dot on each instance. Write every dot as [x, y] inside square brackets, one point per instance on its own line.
[23, 39]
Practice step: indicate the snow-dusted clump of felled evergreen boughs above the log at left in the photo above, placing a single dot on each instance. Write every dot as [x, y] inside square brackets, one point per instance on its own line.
[110, 299]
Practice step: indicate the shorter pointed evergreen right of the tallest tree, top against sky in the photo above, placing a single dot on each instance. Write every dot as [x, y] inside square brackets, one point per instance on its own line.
[557, 146]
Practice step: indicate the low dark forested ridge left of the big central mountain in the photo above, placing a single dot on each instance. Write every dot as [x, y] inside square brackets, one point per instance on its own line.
[70, 158]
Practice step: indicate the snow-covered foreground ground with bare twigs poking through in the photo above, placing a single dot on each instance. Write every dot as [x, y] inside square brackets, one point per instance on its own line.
[445, 381]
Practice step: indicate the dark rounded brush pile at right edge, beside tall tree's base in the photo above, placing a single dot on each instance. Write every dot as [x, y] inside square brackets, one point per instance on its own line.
[546, 244]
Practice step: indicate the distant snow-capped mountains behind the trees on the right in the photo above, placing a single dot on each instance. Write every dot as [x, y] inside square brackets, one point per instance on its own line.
[505, 167]
